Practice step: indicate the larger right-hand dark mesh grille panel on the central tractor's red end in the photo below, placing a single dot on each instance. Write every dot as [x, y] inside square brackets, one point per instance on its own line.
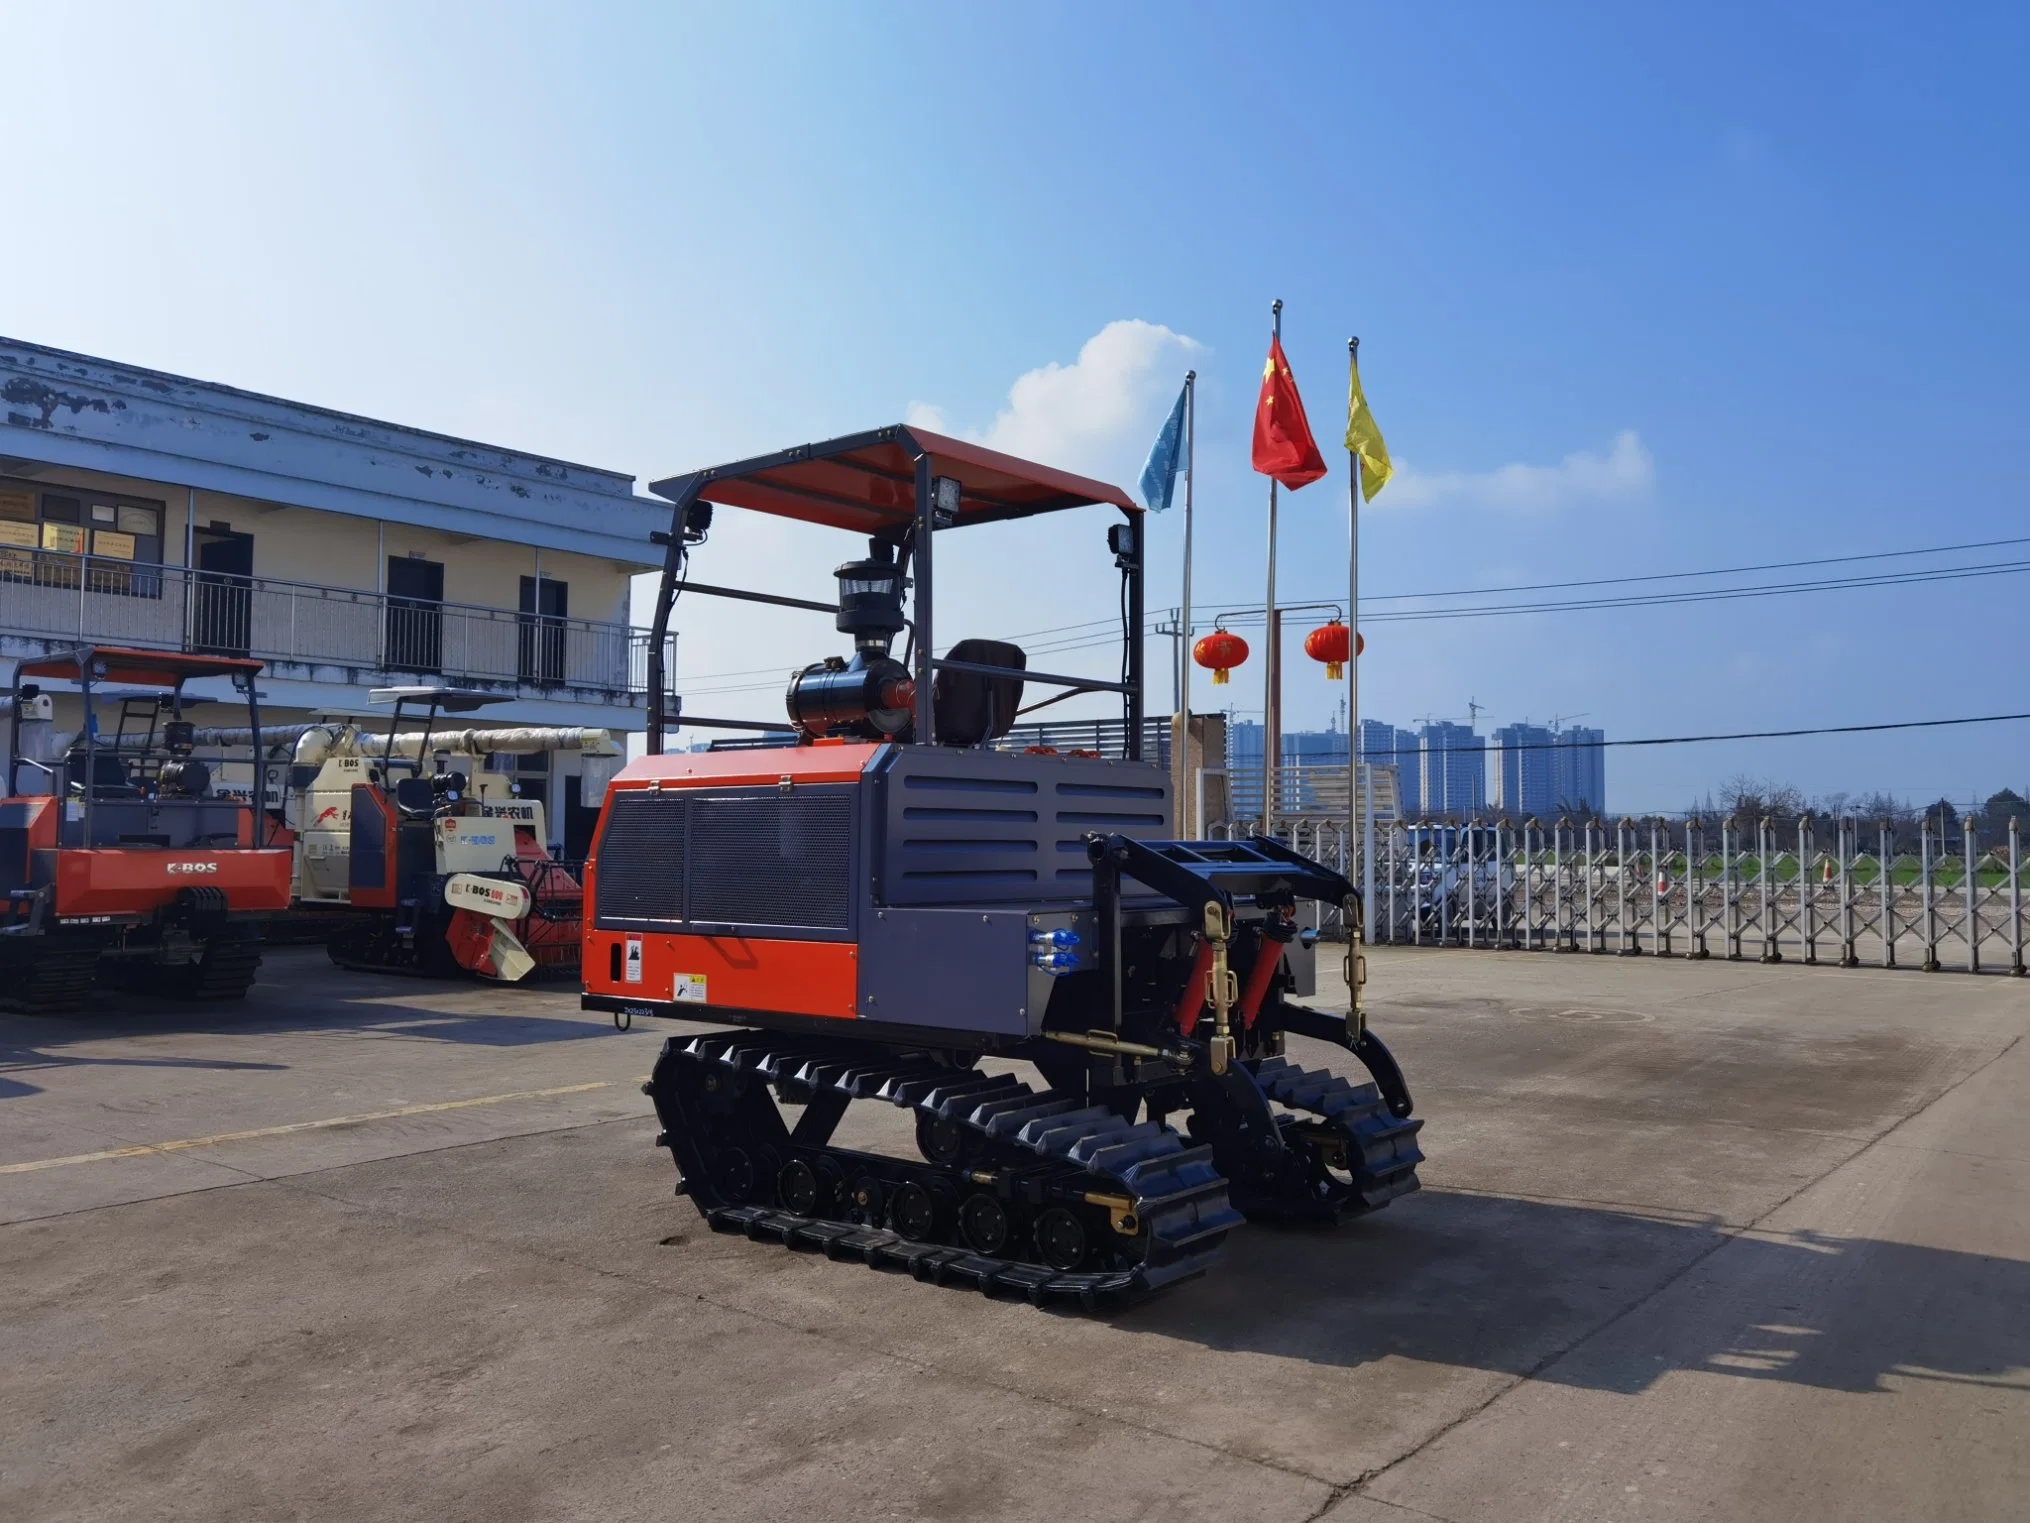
[785, 860]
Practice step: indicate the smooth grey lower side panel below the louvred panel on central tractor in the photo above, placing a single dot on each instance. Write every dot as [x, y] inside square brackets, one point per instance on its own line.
[953, 970]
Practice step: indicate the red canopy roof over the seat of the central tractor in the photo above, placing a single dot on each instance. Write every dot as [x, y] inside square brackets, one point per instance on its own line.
[868, 482]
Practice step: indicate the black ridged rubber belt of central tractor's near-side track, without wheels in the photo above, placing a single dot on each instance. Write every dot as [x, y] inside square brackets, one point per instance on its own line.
[1178, 1193]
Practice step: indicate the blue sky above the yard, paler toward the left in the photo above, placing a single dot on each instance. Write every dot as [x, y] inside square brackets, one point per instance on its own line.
[1637, 291]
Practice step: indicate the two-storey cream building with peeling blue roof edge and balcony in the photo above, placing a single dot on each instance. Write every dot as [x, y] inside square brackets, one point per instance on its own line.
[155, 511]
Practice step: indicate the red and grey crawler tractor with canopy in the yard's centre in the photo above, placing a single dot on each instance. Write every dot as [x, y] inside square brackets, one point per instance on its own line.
[890, 909]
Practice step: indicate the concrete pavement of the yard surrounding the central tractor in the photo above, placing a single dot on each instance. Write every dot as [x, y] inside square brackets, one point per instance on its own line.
[1710, 1242]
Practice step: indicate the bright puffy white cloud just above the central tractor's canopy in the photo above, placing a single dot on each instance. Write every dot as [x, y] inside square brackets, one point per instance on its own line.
[1093, 415]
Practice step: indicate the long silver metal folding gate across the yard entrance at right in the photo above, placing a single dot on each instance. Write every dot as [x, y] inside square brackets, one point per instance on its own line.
[1846, 892]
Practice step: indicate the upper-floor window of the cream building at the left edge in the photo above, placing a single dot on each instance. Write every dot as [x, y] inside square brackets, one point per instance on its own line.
[54, 537]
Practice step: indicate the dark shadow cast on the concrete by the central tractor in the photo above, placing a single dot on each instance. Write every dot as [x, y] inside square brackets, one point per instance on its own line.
[1503, 1284]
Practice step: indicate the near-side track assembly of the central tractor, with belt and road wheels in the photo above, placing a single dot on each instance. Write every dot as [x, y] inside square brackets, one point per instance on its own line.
[1111, 1209]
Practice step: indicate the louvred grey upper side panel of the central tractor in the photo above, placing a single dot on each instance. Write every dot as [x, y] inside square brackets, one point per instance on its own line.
[1002, 827]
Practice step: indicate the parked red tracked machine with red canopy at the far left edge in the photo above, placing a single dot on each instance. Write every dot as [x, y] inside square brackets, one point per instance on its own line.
[117, 854]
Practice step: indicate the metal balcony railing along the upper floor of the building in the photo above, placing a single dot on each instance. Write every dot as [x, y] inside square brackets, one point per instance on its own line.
[64, 598]
